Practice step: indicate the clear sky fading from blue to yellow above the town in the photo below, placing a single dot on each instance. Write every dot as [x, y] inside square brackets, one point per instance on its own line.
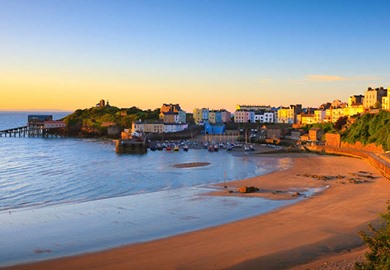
[69, 54]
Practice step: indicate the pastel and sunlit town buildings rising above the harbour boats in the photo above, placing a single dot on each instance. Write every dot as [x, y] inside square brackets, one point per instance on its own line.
[293, 124]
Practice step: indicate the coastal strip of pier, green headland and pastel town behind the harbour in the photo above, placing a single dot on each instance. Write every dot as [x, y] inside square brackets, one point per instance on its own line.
[284, 125]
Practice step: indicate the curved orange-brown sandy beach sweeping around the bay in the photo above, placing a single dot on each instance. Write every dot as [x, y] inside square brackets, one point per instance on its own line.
[316, 233]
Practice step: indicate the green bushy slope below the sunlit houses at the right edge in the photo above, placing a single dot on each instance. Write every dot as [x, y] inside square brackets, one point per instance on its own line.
[370, 128]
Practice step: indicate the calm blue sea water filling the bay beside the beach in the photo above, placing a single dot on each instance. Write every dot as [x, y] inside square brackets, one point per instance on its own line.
[67, 196]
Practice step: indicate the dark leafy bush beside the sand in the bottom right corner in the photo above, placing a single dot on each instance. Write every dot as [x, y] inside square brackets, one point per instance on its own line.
[378, 241]
